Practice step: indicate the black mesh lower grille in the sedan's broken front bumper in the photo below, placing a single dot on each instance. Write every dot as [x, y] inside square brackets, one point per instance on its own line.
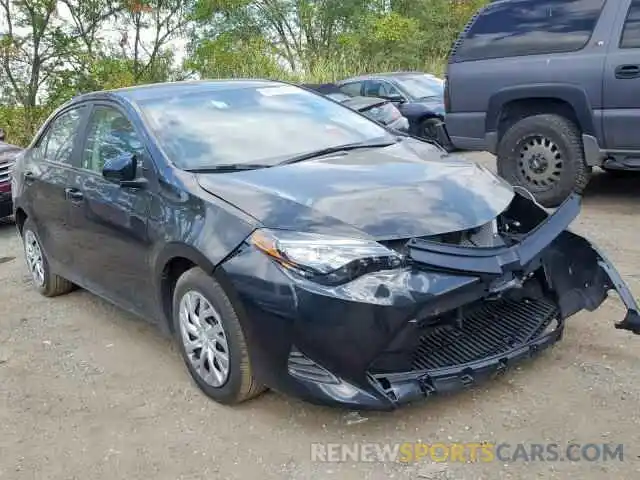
[492, 328]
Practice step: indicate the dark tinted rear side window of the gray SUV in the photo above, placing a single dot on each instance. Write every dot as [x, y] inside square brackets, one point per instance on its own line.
[529, 27]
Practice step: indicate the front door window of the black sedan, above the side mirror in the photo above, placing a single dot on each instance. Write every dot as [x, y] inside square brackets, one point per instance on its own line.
[110, 134]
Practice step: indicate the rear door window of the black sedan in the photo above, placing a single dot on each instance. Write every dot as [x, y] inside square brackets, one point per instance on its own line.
[57, 143]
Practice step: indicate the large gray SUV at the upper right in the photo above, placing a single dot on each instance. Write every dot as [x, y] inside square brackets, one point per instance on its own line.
[552, 88]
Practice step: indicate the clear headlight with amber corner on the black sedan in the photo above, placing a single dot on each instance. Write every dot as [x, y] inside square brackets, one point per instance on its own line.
[323, 258]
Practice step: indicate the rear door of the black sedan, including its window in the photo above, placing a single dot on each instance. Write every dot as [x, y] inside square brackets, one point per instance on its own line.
[46, 177]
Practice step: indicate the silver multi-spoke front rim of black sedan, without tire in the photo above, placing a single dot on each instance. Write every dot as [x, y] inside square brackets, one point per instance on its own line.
[204, 338]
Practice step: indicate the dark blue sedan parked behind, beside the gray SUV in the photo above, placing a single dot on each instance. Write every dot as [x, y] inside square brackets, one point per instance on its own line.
[419, 97]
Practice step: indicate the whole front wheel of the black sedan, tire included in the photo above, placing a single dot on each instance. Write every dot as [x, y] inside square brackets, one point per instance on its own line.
[224, 333]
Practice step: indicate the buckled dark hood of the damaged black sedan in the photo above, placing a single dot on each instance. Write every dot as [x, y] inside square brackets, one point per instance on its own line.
[409, 189]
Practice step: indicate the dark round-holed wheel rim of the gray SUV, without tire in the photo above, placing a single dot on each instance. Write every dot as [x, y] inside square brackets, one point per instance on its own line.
[540, 162]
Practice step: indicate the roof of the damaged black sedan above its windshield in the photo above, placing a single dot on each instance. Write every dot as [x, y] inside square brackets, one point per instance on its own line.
[163, 90]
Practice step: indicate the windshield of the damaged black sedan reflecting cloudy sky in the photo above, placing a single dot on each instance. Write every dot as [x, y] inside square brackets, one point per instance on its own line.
[257, 125]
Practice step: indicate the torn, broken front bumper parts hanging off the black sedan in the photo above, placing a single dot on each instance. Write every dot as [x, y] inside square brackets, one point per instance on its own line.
[576, 276]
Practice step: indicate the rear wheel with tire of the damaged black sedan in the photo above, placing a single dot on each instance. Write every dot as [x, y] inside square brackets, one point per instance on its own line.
[46, 282]
